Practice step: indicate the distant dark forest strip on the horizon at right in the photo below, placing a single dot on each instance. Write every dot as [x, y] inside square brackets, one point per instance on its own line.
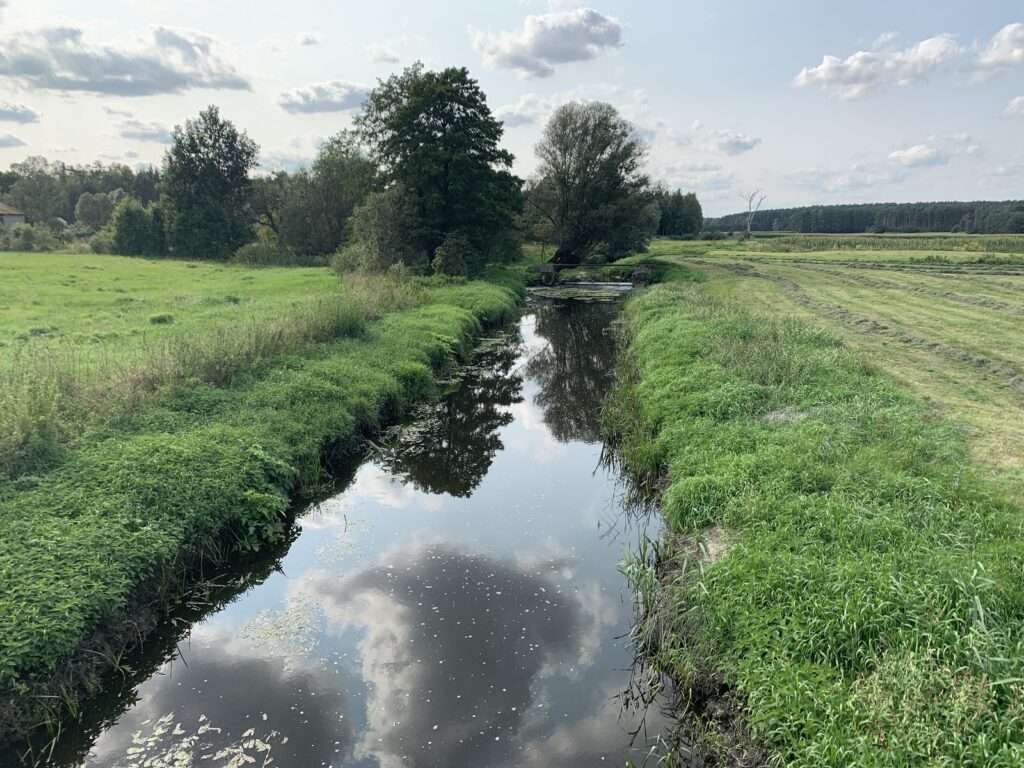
[983, 219]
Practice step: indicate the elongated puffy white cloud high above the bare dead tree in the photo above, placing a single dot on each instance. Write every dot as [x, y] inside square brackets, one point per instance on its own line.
[865, 72]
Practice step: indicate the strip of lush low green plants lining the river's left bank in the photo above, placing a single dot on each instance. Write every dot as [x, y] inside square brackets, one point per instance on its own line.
[200, 476]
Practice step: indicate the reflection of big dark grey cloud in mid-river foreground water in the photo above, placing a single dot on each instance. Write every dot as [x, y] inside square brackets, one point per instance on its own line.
[454, 644]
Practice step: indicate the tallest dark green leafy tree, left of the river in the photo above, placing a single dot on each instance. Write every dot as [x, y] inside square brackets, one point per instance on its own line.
[434, 134]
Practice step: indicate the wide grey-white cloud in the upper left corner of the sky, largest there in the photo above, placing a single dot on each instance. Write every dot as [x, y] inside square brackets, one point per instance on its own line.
[60, 59]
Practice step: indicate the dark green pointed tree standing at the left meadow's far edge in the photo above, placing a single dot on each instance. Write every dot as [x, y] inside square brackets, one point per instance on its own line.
[206, 187]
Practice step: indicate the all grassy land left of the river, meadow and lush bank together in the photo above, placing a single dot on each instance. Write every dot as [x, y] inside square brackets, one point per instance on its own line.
[150, 449]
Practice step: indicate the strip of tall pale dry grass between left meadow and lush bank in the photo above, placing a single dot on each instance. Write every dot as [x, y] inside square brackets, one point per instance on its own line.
[52, 394]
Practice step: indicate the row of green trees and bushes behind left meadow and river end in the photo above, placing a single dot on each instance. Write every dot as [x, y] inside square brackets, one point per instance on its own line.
[421, 181]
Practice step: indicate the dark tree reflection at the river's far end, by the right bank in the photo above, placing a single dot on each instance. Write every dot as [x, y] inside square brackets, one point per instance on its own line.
[576, 369]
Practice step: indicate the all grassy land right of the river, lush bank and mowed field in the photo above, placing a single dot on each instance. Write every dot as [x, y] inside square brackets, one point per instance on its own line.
[836, 447]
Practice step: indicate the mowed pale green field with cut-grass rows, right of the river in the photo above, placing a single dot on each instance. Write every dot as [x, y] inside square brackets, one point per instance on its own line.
[945, 321]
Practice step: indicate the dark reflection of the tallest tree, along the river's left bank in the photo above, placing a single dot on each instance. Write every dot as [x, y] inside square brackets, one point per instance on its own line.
[451, 445]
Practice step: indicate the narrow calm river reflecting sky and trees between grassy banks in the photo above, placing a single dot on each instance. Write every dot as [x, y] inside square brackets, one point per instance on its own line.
[458, 605]
